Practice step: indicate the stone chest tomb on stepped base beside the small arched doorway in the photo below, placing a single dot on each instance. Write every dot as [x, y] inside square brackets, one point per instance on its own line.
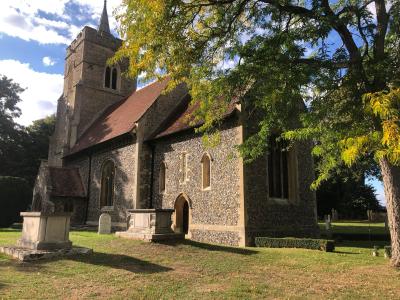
[150, 225]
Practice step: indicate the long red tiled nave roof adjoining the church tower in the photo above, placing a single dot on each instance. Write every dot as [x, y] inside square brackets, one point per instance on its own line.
[120, 118]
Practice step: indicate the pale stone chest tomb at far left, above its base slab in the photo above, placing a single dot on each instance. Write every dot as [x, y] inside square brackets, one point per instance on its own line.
[43, 231]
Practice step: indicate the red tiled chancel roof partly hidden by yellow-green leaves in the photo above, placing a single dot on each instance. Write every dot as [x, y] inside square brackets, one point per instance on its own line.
[182, 118]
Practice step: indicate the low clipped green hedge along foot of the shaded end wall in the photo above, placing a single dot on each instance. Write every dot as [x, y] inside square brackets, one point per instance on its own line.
[316, 244]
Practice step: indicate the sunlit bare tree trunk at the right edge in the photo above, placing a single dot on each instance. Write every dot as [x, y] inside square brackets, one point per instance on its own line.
[391, 183]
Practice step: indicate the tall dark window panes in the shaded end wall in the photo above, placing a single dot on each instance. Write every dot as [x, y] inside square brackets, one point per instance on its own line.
[278, 171]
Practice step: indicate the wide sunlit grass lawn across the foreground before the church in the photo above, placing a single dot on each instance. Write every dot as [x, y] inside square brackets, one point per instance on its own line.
[122, 268]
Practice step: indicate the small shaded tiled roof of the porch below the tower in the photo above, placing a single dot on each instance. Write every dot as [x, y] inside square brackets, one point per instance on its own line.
[66, 182]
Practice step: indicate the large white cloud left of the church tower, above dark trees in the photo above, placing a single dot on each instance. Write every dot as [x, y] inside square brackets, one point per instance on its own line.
[42, 90]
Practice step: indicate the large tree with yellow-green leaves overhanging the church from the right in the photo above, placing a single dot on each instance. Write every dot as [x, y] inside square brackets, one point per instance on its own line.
[341, 58]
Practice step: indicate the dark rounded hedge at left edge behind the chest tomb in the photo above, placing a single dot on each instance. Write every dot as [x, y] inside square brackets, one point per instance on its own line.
[15, 196]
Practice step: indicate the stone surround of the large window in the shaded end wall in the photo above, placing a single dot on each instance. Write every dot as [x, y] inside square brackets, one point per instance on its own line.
[292, 165]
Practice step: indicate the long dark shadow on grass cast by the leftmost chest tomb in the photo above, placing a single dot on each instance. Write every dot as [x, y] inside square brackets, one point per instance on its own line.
[119, 261]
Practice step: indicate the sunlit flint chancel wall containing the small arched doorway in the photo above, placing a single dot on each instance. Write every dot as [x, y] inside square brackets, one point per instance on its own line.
[217, 206]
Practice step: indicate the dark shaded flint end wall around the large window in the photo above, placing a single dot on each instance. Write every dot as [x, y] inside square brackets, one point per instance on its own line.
[295, 216]
